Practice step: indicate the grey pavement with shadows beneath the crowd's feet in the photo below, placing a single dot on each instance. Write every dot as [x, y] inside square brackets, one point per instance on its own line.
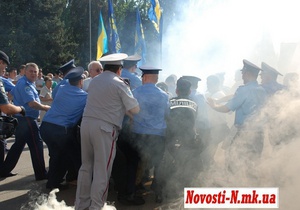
[22, 191]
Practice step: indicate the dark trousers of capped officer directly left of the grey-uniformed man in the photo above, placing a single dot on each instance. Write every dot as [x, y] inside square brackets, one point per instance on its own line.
[60, 143]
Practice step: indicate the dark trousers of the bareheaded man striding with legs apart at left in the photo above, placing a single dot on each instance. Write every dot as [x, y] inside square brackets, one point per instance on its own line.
[27, 132]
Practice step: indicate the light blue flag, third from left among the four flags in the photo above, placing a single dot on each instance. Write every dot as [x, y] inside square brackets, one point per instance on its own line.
[139, 41]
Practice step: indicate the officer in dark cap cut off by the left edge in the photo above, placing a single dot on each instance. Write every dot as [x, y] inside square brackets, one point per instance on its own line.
[8, 109]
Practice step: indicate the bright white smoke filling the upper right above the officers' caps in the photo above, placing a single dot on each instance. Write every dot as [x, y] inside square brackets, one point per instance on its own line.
[213, 36]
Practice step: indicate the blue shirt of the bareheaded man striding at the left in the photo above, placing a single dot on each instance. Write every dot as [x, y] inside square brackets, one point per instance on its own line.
[25, 92]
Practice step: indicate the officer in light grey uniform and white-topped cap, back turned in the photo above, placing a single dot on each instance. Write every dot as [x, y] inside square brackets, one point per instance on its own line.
[108, 100]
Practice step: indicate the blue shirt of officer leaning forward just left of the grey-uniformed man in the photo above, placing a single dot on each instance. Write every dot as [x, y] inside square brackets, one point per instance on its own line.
[67, 107]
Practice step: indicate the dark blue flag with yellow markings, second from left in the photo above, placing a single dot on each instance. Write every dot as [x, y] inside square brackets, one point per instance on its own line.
[113, 37]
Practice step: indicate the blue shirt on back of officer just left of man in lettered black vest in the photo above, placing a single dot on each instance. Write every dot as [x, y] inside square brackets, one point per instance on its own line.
[154, 107]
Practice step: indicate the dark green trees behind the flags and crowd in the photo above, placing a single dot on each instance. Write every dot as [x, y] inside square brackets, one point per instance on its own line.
[50, 33]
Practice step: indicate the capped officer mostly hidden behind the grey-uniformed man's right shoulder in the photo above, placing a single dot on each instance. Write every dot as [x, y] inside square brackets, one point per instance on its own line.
[129, 71]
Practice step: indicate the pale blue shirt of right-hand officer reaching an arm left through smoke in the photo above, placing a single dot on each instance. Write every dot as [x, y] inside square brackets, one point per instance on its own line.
[247, 99]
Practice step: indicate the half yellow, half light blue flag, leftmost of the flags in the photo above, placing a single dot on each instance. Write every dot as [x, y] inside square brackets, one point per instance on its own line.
[102, 45]
